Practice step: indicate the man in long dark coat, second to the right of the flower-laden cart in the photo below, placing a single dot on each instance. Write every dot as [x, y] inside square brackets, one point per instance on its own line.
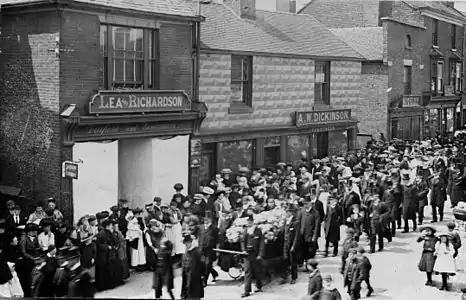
[309, 229]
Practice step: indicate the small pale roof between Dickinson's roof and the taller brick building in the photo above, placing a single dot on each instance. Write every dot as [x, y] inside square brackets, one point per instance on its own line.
[368, 41]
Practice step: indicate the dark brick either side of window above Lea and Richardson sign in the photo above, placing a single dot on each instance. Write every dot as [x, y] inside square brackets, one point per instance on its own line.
[80, 69]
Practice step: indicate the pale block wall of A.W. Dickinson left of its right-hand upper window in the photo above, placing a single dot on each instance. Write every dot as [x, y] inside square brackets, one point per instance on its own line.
[281, 87]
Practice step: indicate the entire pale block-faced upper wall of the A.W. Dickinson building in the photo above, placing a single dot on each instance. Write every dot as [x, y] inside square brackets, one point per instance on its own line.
[281, 86]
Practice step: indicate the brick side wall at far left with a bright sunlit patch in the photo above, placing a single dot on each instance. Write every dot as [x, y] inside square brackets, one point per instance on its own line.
[29, 104]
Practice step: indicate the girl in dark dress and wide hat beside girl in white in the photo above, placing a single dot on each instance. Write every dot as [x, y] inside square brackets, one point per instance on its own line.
[426, 264]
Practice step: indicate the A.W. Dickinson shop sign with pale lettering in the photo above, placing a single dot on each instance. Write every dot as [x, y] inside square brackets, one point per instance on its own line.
[322, 117]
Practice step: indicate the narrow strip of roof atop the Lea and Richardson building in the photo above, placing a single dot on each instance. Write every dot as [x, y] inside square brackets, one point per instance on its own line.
[168, 7]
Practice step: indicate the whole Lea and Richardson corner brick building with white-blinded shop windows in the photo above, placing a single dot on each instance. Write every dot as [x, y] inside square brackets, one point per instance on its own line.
[105, 85]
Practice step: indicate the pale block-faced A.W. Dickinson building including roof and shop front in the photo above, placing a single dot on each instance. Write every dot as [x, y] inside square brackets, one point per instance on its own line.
[275, 84]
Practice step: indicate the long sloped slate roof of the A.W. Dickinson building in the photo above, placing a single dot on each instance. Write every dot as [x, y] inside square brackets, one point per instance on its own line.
[271, 32]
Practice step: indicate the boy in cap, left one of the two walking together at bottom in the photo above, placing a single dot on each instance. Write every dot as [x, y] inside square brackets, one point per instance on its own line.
[353, 275]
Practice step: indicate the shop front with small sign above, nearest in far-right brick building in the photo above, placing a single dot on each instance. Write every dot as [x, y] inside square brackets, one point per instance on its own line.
[407, 121]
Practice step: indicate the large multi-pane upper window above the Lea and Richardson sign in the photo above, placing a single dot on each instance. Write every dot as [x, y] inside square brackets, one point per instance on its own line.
[129, 57]
